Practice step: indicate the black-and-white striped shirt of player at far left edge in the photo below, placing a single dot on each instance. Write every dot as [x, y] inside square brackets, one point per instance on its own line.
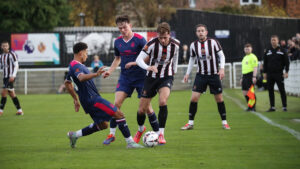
[9, 64]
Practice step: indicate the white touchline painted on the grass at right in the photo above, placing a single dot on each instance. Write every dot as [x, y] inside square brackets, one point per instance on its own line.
[266, 119]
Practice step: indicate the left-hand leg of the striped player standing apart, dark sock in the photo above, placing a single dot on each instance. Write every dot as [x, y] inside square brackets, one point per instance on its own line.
[192, 110]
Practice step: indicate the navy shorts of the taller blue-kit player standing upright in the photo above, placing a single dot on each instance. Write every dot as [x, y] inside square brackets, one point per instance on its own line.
[128, 86]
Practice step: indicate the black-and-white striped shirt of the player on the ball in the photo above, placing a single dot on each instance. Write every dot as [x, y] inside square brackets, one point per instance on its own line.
[165, 58]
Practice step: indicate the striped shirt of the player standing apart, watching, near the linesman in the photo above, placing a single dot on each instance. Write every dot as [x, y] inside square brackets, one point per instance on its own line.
[207, 53]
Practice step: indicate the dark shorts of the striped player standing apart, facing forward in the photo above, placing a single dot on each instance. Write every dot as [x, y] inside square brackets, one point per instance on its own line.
[202, 81]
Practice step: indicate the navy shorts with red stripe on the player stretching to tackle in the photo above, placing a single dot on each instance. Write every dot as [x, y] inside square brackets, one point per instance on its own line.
[101, 110]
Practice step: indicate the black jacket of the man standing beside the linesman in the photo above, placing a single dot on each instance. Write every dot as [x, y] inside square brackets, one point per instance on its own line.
[275, 60]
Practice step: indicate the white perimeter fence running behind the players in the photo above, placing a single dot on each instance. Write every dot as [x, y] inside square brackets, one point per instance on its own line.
[48, 80]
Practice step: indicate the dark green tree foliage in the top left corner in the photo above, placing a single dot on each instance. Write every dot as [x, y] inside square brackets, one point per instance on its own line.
[33, 15]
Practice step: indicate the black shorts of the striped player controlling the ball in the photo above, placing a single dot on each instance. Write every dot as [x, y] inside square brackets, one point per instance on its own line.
[152, 85]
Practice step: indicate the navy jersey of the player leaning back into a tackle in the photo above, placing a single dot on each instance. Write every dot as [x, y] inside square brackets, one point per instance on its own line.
[86, 90]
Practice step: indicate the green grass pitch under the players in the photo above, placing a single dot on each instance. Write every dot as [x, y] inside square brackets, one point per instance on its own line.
[38, 139]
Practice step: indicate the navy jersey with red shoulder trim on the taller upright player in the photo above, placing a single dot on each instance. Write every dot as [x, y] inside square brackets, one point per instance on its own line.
[129, 51]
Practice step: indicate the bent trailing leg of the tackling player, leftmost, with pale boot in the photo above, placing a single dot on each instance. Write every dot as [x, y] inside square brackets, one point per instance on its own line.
[92, 128]
